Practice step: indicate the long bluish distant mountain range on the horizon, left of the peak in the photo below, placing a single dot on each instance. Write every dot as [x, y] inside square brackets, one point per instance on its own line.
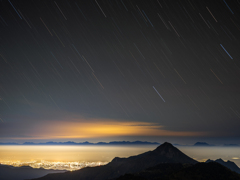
[87, 143]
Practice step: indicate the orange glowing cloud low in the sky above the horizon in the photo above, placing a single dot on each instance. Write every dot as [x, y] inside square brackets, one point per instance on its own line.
[99, 128]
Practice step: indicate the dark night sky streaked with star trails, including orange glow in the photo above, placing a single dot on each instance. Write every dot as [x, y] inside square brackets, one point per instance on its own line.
[119, 70]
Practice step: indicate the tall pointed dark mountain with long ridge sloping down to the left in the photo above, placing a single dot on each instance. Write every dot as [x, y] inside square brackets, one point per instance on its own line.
[165, 153]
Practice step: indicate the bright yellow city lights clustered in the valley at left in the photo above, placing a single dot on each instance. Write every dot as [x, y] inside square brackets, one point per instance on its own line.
[69, 166]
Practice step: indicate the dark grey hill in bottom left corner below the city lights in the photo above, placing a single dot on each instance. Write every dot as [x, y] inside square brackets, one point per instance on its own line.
[22, 173]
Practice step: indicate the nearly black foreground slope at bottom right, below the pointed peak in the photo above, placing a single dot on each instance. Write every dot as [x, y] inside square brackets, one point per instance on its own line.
[199, 171]
